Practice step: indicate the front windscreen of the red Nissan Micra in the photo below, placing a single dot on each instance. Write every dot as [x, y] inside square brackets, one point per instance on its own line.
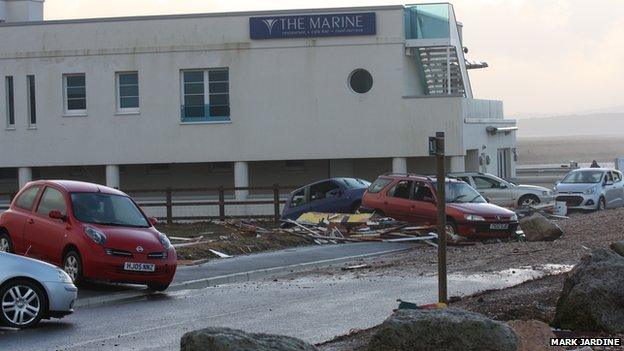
[107, 209]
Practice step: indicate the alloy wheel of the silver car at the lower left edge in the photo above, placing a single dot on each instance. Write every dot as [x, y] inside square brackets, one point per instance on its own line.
[23, 304]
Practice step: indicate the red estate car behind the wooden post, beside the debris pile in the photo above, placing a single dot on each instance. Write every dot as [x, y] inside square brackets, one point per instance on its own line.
[412, 198]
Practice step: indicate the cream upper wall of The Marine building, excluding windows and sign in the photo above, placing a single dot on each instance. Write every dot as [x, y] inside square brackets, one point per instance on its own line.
[290, 99]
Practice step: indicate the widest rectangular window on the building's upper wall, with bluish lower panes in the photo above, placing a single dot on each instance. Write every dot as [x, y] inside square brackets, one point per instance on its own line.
[205, 95]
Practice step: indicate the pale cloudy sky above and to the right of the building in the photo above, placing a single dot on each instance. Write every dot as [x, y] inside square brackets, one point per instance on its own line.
[546, 57]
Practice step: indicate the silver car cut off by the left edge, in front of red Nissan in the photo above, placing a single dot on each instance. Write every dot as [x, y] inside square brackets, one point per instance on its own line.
[32, 290]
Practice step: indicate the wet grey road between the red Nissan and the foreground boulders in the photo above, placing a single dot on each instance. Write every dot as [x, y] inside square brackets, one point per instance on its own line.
[314, 308]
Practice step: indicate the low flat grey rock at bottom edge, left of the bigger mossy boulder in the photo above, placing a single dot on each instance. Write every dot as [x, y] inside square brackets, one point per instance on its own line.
[226, 339]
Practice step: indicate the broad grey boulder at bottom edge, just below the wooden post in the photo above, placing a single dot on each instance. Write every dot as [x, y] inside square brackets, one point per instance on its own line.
[442, 329]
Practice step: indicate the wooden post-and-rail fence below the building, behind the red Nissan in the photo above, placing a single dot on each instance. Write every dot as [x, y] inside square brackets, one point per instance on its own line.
[168, 202]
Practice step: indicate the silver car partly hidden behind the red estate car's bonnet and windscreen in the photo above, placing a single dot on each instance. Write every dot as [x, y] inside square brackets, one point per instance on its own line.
[503, 193]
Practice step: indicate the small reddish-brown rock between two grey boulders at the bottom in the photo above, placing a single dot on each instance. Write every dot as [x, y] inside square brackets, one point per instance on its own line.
[533, 335]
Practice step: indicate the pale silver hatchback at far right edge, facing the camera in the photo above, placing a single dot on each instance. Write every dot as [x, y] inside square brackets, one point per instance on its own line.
[591, 189]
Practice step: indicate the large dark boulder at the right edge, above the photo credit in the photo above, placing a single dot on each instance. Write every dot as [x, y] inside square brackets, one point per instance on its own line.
[592, 294]
